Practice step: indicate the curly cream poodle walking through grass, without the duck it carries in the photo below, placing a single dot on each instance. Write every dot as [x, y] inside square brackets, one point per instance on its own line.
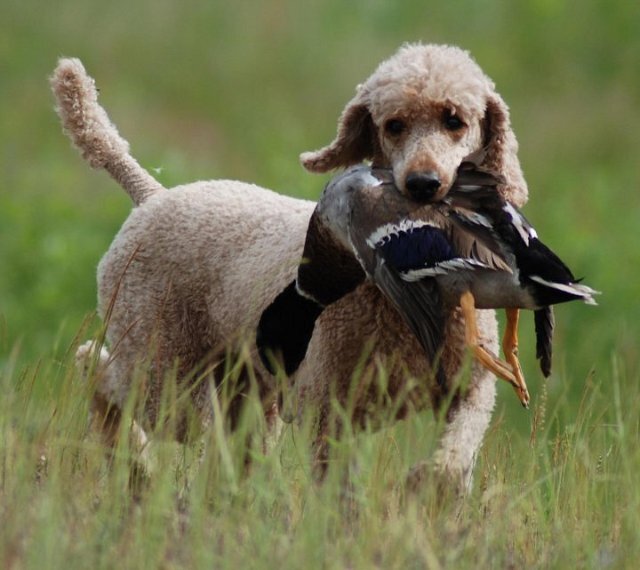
[186, 279]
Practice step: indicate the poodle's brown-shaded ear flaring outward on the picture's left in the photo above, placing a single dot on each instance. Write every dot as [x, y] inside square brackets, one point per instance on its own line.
[356, 140]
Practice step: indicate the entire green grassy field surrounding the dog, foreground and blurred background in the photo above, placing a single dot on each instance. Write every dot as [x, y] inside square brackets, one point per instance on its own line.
[211, 89]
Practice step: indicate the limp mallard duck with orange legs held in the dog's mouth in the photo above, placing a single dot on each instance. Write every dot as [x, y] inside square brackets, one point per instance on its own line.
[471, 250]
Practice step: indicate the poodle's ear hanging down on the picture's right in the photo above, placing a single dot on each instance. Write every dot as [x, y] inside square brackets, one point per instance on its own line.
[502, 150]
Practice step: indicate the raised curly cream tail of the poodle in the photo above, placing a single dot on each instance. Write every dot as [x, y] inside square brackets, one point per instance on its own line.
[87, 124]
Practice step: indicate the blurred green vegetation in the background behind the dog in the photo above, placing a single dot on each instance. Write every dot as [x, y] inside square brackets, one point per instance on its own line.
[209, 89]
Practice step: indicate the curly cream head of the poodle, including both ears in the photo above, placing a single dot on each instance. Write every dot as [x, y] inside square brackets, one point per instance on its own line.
[421, 113]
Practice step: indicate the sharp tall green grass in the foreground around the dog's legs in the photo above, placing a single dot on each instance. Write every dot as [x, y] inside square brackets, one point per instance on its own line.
[567, 496]
